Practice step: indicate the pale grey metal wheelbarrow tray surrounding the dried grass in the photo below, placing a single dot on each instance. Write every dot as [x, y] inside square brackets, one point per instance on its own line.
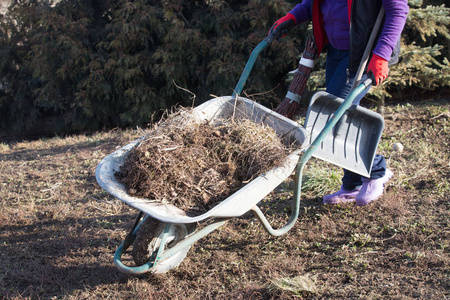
[238, 203]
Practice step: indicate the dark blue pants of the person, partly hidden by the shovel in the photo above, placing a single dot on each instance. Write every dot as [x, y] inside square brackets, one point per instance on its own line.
[339, 83]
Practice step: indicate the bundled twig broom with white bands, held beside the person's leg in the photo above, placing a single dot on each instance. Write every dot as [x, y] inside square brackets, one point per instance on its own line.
[288, 107]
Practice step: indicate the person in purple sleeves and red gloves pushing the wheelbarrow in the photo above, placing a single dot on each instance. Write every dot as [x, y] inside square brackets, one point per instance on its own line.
[343, 27]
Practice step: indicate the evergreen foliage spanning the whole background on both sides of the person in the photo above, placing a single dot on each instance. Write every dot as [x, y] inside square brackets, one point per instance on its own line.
[88, 65]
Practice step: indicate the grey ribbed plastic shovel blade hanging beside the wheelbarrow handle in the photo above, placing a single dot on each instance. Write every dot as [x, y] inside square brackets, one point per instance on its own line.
[352, 145]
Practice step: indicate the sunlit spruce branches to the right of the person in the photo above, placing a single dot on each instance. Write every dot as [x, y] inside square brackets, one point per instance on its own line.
[426, 39]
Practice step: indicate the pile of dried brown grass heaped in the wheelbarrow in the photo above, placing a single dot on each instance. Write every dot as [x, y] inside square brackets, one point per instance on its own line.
[194, 165]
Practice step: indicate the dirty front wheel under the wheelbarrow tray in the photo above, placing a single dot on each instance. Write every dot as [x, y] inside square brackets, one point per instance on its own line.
[148, 240]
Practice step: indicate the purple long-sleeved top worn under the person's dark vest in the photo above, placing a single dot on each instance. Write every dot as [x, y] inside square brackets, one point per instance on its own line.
[336, 21]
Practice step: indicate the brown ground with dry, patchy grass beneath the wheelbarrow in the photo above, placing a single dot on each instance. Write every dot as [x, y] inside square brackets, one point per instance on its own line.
[59, 229]
